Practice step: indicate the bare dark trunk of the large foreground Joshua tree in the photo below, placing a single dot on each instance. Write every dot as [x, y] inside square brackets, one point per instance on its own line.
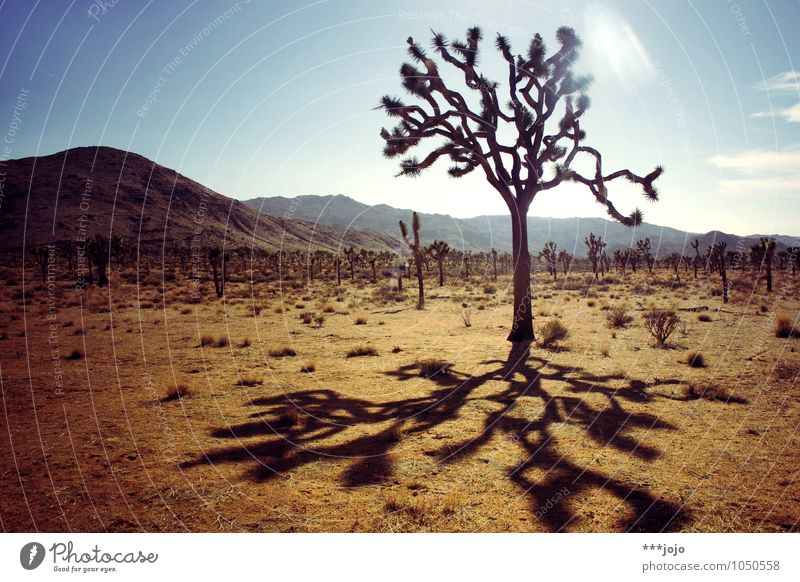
[522, 324]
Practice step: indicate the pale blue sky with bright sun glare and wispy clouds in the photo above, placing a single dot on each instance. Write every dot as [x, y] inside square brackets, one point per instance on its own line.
[266, 98]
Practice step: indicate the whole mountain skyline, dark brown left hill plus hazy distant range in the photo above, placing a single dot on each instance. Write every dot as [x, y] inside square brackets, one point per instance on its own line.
[109, 191]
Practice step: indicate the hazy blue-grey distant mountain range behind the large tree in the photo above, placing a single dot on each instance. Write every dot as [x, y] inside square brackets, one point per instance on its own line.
[486, 232]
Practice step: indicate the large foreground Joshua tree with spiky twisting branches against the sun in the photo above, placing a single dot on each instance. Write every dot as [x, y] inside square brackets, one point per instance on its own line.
[539, 89]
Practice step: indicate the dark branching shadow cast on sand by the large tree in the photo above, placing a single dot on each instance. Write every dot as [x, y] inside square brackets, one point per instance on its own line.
[364, 433]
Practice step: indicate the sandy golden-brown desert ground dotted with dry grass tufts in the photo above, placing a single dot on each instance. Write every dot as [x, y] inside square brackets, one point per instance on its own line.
[294, 406]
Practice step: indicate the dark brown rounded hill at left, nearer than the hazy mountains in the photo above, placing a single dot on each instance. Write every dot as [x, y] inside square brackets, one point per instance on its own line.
[108, 191]
